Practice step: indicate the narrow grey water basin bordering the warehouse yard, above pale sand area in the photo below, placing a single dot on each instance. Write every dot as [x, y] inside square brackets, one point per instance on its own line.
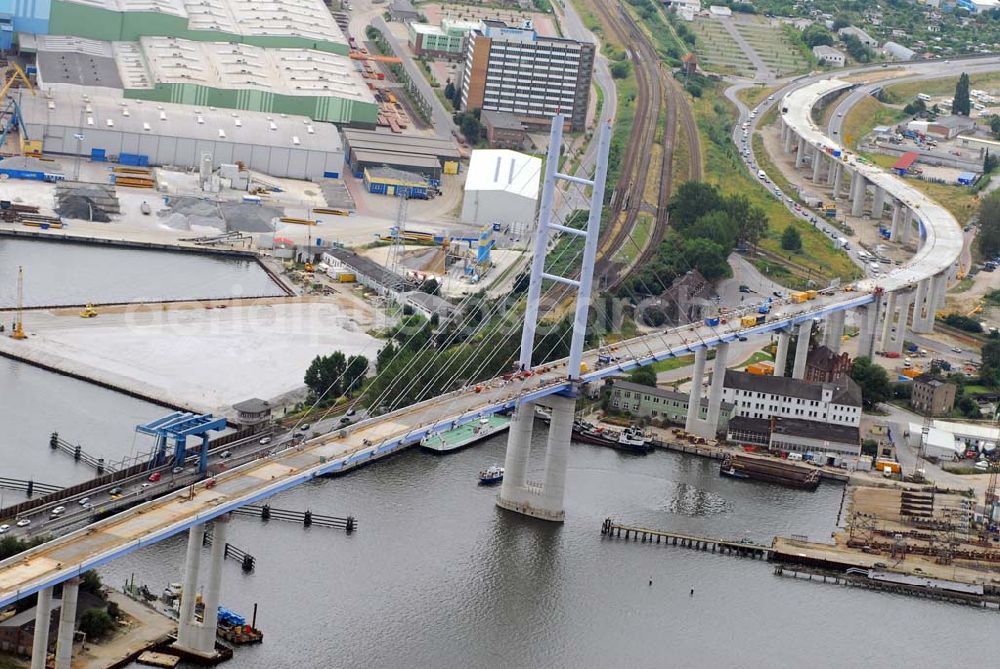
[58, 273]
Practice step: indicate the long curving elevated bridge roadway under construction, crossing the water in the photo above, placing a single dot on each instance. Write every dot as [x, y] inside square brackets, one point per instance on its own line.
[67, 556]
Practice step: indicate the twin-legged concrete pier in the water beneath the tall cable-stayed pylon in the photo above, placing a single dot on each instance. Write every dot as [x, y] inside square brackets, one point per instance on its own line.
[545, 501]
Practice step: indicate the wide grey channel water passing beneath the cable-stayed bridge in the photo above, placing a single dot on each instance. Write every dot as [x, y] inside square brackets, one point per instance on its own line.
[437, 576]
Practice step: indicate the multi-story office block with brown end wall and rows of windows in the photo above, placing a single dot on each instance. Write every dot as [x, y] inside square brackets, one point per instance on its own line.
[517, 70]
